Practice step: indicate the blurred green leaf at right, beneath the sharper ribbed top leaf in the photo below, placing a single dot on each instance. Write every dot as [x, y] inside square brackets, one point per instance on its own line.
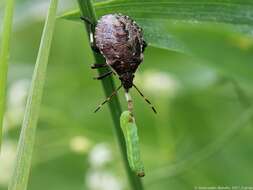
[229, 53]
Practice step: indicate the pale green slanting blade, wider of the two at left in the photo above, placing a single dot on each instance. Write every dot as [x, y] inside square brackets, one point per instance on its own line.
[22, 166]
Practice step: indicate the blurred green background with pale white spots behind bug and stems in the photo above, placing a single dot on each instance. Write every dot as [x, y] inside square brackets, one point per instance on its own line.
[201, 136]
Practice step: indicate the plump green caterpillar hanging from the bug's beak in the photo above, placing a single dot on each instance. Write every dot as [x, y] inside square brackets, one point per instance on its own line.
[129, 129]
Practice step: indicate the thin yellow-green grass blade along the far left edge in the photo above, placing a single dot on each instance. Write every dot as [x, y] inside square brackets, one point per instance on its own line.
[4, 57]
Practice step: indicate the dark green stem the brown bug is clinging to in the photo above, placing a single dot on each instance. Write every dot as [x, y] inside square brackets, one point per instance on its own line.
[87, 9]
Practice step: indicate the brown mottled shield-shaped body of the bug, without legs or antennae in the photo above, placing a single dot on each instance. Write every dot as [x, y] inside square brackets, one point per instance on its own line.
[120, 40]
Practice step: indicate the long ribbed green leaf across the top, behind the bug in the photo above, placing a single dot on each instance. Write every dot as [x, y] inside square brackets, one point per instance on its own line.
[157, 17]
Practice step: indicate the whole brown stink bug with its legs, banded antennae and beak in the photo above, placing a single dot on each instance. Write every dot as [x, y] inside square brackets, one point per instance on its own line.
[120, 40]
